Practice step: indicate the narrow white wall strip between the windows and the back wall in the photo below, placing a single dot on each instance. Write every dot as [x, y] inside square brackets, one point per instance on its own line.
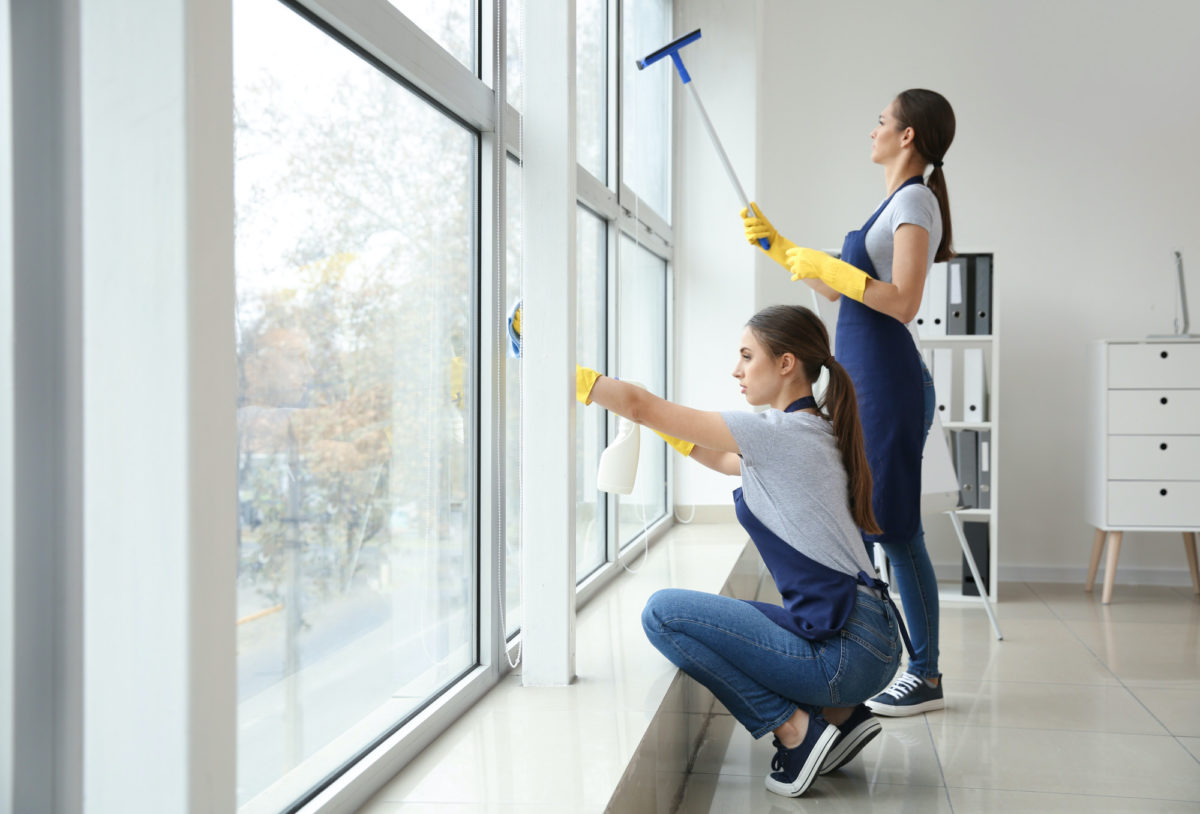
[713, 265]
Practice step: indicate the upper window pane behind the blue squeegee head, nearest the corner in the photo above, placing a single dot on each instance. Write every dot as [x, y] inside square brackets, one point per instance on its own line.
[646, 104]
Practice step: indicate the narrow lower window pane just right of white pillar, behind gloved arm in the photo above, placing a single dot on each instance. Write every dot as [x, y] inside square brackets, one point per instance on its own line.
[592, 260]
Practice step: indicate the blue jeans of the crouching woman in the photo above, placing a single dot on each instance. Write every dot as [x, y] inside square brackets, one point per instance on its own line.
[763, 673]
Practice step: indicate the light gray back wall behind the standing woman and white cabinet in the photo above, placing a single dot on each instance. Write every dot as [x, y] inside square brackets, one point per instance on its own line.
[1075, 164]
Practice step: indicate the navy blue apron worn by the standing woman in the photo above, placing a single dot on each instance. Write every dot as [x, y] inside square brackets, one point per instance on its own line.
[884, 363]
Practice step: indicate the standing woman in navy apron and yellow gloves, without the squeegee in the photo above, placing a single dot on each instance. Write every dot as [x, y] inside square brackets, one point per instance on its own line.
[880, 280]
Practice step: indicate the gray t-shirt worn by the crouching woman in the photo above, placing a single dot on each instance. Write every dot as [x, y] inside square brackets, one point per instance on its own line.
[795, 483]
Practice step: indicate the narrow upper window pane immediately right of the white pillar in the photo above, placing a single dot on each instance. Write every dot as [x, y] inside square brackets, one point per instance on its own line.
[592, 87]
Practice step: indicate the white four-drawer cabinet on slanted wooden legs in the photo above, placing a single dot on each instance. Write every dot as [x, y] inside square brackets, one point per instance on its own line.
[1144, 451]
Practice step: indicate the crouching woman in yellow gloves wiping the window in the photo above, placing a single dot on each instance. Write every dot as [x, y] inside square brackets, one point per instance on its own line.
[802, 671]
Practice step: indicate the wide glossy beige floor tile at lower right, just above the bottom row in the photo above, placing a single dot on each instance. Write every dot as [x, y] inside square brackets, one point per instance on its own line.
[1103, 764]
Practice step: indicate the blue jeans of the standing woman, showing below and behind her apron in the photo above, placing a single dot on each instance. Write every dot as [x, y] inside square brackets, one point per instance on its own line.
[915, 580]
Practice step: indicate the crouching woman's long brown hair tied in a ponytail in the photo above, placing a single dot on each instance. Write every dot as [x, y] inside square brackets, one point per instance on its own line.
[795, 330]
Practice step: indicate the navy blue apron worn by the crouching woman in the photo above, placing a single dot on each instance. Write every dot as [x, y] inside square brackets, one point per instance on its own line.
[818, 600]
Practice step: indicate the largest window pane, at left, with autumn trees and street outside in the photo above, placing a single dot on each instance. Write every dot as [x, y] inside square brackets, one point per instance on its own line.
[356, 267]
